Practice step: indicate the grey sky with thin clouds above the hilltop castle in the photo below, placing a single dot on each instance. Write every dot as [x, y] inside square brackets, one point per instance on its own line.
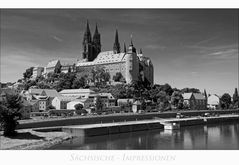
[188, 48]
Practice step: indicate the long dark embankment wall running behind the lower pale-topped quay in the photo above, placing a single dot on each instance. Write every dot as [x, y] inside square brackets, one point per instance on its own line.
[83, 120]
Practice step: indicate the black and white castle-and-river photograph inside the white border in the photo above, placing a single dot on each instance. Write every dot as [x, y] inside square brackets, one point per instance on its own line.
[119, 79]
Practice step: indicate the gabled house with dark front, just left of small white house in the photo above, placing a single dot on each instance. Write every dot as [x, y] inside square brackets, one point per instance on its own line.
[195, 101]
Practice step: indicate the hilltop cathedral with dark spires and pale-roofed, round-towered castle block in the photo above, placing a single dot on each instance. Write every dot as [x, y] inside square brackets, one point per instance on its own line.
[131, 64]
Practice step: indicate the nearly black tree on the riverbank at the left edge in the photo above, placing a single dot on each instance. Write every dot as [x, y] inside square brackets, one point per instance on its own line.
[9, 113]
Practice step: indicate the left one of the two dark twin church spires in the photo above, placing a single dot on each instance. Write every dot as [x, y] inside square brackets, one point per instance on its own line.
[87, 44]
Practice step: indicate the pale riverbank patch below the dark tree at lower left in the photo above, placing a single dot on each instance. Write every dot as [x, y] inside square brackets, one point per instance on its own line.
[28, 139]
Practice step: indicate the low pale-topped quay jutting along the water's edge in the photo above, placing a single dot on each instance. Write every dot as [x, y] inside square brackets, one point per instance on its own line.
[132, 126]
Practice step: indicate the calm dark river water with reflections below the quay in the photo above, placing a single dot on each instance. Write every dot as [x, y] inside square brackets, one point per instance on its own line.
[223, 136]
